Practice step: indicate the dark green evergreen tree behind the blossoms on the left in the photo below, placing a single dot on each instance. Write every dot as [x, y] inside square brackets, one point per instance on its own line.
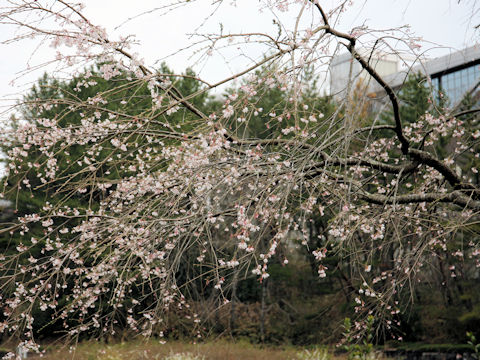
[41, 193]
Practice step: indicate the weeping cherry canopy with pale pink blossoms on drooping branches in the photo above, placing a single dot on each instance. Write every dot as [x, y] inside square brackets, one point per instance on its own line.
[142, 175]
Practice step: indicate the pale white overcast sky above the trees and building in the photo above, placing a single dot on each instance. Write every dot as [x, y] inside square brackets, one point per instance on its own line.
[445, 25]
